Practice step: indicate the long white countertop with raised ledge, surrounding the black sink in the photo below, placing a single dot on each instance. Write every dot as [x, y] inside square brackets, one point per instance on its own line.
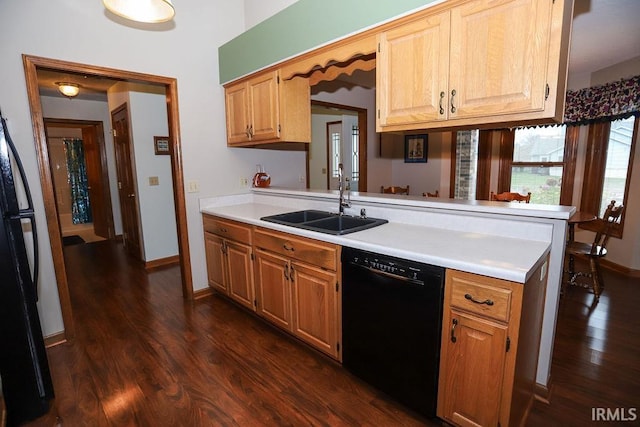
[479, 245]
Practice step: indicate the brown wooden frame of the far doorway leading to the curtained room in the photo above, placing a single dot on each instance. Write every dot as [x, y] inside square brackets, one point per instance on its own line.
[98, 128]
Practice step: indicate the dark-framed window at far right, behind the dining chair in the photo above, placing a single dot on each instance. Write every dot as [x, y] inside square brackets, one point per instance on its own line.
[609, 159]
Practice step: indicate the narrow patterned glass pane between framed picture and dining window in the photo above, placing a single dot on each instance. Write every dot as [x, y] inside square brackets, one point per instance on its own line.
[466, 164]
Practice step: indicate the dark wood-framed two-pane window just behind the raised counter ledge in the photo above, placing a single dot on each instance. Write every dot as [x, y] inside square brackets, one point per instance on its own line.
[540, 161]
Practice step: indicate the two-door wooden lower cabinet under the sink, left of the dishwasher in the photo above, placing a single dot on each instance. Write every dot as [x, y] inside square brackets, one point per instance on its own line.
[298, 287]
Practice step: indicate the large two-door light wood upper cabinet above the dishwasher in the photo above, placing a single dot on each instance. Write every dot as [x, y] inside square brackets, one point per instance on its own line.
[475, 63]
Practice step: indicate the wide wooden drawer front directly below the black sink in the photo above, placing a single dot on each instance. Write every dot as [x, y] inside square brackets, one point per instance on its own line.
[314, 252]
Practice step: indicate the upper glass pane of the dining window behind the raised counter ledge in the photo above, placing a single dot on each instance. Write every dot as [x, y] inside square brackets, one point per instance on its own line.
[539, 144]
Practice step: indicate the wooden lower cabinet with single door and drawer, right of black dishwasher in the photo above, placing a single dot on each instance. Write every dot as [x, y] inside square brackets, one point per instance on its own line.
[489, 356]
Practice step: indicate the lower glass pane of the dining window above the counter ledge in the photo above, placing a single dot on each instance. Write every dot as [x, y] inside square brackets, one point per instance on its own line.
[542, 182]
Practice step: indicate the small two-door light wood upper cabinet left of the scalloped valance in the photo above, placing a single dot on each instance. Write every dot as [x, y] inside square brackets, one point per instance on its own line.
[265, 108]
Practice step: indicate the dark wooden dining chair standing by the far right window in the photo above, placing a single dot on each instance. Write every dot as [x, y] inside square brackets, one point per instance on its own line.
[593, 251]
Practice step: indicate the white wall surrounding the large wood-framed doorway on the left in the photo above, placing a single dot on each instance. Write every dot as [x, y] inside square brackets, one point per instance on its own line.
[185, 49]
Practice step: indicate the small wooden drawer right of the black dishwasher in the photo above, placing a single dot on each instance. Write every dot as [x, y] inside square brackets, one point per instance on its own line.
[486, 299]
